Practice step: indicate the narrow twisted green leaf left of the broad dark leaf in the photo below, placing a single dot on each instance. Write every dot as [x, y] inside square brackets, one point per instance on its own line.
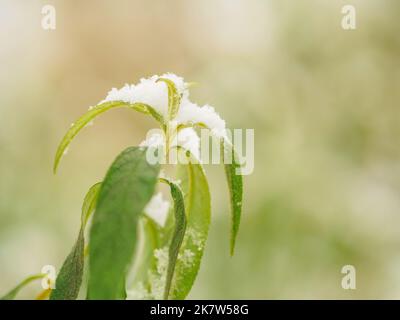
[69, 279]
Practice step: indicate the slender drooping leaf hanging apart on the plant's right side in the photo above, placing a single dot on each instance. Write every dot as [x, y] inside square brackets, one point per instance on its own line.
[235, 184]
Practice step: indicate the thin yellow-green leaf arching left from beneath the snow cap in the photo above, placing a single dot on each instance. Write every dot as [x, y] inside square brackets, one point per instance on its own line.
[90, 115]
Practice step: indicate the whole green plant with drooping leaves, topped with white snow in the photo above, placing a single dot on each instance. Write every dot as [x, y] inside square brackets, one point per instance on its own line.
[139, 245]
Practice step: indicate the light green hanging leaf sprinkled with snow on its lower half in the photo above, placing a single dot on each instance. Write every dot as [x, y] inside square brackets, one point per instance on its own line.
[198, 211]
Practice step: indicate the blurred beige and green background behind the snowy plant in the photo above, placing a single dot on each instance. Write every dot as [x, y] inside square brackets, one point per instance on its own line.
[324, 103]
